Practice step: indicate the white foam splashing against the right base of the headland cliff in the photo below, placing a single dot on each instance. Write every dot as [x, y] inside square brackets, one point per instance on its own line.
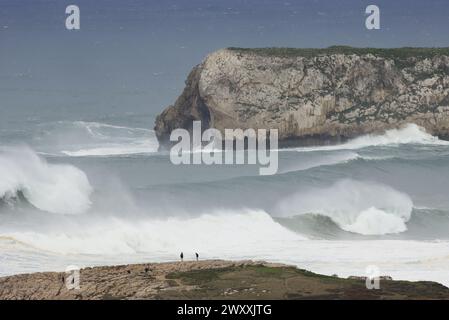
[410, 134]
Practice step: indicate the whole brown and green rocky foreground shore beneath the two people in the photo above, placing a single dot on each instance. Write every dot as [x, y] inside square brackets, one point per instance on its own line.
[209, 280]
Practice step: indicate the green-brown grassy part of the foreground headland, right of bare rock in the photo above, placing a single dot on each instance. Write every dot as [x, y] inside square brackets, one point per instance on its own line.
[283, 282]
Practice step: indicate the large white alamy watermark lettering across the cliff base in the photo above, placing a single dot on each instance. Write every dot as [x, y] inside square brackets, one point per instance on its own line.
[247, 146]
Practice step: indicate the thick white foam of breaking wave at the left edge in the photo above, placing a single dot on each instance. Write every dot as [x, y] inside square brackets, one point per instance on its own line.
[49, 187]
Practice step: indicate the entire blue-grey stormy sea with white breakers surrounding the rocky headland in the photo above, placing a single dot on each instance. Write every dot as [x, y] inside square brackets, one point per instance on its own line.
[82, 181]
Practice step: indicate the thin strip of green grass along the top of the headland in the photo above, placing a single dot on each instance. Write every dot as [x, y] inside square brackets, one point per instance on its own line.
[393, 53]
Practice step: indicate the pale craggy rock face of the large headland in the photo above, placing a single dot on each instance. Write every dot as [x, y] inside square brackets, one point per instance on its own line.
[315, 95]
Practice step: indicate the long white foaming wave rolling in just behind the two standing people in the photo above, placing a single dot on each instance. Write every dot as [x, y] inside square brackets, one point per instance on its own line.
[217, 231]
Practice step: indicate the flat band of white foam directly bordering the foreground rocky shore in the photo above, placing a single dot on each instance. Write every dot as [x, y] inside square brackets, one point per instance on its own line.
[403, 260]
